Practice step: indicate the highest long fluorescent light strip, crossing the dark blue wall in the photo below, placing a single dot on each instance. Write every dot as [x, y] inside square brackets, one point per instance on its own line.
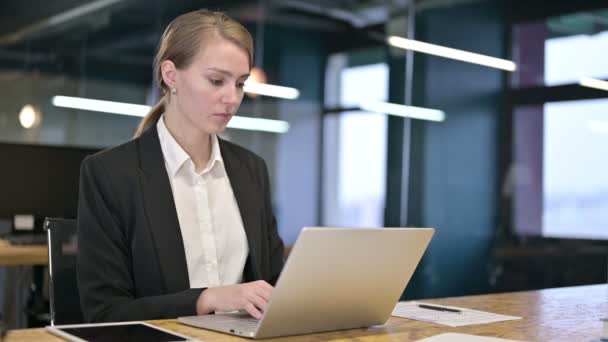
[446, 52]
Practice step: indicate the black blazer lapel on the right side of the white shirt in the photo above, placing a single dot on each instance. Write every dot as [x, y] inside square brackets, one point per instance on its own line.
[247, 197]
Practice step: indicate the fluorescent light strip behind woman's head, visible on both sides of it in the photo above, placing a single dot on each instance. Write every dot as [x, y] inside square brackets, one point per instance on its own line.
[237, 122]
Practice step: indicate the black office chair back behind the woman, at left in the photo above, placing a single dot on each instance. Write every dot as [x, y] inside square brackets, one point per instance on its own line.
[63, 289]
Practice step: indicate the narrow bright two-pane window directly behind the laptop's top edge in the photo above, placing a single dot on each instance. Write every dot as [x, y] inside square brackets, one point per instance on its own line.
[355, 151]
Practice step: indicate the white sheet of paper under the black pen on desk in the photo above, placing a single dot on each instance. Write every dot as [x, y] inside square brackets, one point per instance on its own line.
[452, 319]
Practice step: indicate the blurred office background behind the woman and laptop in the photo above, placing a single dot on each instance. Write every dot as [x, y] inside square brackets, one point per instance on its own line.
[514, 179]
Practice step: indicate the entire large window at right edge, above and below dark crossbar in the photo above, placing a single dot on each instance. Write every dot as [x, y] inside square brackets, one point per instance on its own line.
[558, 178]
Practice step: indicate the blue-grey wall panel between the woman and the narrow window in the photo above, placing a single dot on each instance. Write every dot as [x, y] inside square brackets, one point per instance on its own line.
[296, 58]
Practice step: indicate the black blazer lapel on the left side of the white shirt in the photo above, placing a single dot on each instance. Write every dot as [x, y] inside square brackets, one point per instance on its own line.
[161, 213]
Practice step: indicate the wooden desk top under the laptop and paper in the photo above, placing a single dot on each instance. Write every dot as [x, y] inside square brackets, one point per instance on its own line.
[563, 314]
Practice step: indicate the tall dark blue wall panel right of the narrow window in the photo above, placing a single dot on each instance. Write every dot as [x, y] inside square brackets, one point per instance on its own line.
[454, 164]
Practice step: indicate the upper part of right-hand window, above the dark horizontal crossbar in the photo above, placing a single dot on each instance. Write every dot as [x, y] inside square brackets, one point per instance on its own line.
[560, 50]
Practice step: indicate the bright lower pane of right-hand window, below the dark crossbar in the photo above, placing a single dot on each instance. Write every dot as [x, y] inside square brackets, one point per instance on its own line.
[575, 177]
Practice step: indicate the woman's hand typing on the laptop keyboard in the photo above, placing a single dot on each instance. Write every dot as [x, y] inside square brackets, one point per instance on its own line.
[251, 297]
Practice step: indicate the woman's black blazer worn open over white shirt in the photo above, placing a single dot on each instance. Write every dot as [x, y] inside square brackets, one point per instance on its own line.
[131, 263]
